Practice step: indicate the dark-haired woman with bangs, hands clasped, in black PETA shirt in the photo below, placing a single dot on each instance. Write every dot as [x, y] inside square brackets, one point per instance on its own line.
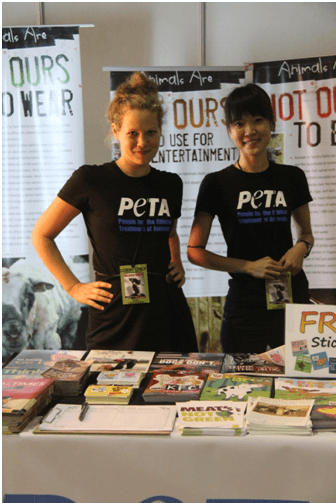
[254, 200]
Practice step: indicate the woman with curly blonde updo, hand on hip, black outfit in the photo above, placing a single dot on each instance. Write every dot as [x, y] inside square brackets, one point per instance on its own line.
[130, 211]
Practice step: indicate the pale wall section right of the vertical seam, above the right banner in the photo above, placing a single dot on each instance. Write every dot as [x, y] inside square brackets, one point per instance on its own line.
[251, 32]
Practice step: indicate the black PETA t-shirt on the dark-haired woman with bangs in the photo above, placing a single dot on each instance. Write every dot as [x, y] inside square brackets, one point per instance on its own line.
[254, 209]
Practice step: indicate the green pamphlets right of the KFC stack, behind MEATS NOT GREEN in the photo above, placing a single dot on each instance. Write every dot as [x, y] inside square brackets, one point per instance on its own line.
[236, 388]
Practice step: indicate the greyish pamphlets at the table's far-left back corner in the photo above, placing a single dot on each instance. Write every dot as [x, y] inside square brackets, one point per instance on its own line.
[31, 363]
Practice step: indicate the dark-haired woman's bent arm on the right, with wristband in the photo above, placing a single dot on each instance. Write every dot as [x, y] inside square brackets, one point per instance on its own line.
[293, 259]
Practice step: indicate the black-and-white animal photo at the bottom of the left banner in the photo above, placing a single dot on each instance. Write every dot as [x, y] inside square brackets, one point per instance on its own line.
[37, 313]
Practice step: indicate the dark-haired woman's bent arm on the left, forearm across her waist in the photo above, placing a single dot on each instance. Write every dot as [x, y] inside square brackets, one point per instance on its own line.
[198, 255]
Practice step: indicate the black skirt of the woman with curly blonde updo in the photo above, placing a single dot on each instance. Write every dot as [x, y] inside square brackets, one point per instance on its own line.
[164, 324]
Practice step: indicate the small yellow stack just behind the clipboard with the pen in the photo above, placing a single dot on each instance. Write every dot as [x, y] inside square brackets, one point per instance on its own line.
[108, 394]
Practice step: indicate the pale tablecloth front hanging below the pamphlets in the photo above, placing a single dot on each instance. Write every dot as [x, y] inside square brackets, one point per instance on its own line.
[171, 469]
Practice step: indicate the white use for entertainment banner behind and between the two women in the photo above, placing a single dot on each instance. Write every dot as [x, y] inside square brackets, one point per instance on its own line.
[194, 142]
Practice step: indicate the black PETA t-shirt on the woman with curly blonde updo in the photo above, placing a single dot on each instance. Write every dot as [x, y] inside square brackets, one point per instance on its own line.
[127, 218]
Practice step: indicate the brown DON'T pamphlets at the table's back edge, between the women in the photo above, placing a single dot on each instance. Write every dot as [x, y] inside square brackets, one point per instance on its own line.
[192, 362]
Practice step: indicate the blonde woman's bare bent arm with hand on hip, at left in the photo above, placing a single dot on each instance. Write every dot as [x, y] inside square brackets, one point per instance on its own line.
[48, 227]
